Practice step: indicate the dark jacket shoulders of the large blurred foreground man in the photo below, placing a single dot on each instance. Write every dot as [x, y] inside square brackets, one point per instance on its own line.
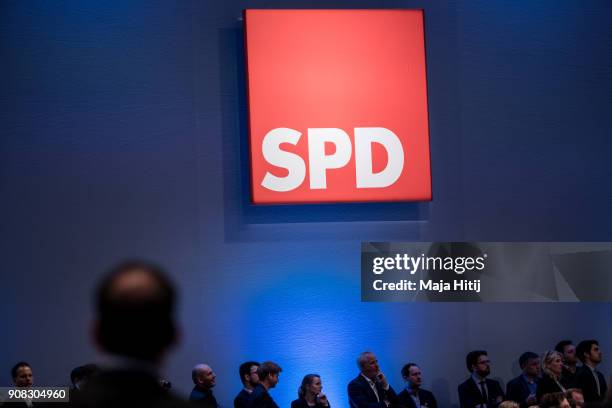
[125, 389]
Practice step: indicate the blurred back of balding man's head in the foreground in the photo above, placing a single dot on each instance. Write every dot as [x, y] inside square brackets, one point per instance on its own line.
[135, 314]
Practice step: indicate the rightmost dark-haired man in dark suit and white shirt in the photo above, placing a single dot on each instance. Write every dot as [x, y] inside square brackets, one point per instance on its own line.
[588, 379]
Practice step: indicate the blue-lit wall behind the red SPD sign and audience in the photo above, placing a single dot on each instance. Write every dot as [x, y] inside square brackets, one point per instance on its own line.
[123, 133]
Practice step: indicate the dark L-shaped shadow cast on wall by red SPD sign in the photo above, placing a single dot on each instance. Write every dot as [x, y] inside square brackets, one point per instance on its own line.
[241, 218]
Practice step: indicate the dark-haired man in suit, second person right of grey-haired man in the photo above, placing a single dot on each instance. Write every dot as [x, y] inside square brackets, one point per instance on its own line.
[479, 391]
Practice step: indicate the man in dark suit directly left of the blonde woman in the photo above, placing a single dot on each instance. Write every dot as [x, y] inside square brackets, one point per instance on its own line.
[522, 389]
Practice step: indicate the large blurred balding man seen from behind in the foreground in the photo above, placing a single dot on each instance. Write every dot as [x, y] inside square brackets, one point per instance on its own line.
[135, 328]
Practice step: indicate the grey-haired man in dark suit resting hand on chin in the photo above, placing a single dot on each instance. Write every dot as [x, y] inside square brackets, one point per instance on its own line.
[370, 389]
